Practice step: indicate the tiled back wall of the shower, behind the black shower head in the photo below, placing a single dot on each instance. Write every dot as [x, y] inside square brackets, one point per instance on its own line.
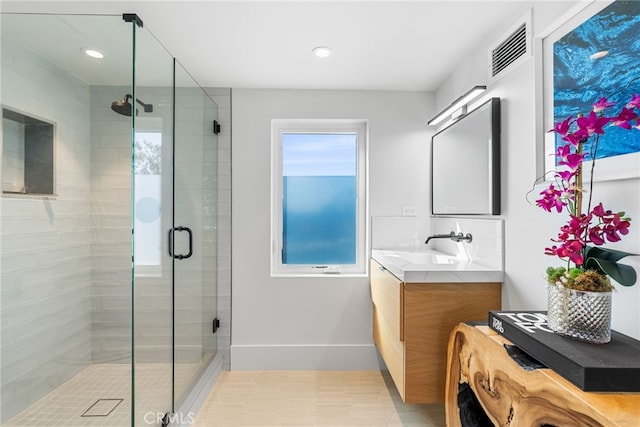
[195, 285]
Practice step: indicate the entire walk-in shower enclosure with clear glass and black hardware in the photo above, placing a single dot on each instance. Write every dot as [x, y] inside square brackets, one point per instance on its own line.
[107, 225]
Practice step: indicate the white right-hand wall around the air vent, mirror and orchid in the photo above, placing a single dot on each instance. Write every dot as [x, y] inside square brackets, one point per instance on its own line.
[528, 228]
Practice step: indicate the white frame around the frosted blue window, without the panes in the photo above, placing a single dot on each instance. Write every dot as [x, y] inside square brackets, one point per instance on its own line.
[360, 128]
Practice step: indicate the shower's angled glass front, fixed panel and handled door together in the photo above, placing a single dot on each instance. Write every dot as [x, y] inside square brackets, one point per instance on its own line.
[174, 202]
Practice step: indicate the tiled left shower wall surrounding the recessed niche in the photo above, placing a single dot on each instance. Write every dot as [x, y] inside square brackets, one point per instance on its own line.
[46, 241]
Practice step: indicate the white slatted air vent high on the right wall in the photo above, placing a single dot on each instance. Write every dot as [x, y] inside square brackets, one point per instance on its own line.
[510, 49]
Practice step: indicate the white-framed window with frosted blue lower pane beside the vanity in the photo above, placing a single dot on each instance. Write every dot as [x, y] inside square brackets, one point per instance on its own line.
[319, 218]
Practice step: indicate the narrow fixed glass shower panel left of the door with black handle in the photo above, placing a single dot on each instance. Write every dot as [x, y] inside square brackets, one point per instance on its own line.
[152, 212]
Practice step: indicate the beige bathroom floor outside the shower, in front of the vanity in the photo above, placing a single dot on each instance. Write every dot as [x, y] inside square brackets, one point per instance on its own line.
[312, 398]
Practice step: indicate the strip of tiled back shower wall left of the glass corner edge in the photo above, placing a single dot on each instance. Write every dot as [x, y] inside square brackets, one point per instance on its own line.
[110, 229]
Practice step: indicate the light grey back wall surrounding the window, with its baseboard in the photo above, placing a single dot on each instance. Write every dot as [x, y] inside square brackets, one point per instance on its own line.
[314, 323]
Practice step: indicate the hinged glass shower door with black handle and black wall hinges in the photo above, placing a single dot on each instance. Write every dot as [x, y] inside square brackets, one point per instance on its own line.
[194, 236]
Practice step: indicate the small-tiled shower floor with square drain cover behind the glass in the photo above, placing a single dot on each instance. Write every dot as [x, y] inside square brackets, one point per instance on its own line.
[65, 406]
